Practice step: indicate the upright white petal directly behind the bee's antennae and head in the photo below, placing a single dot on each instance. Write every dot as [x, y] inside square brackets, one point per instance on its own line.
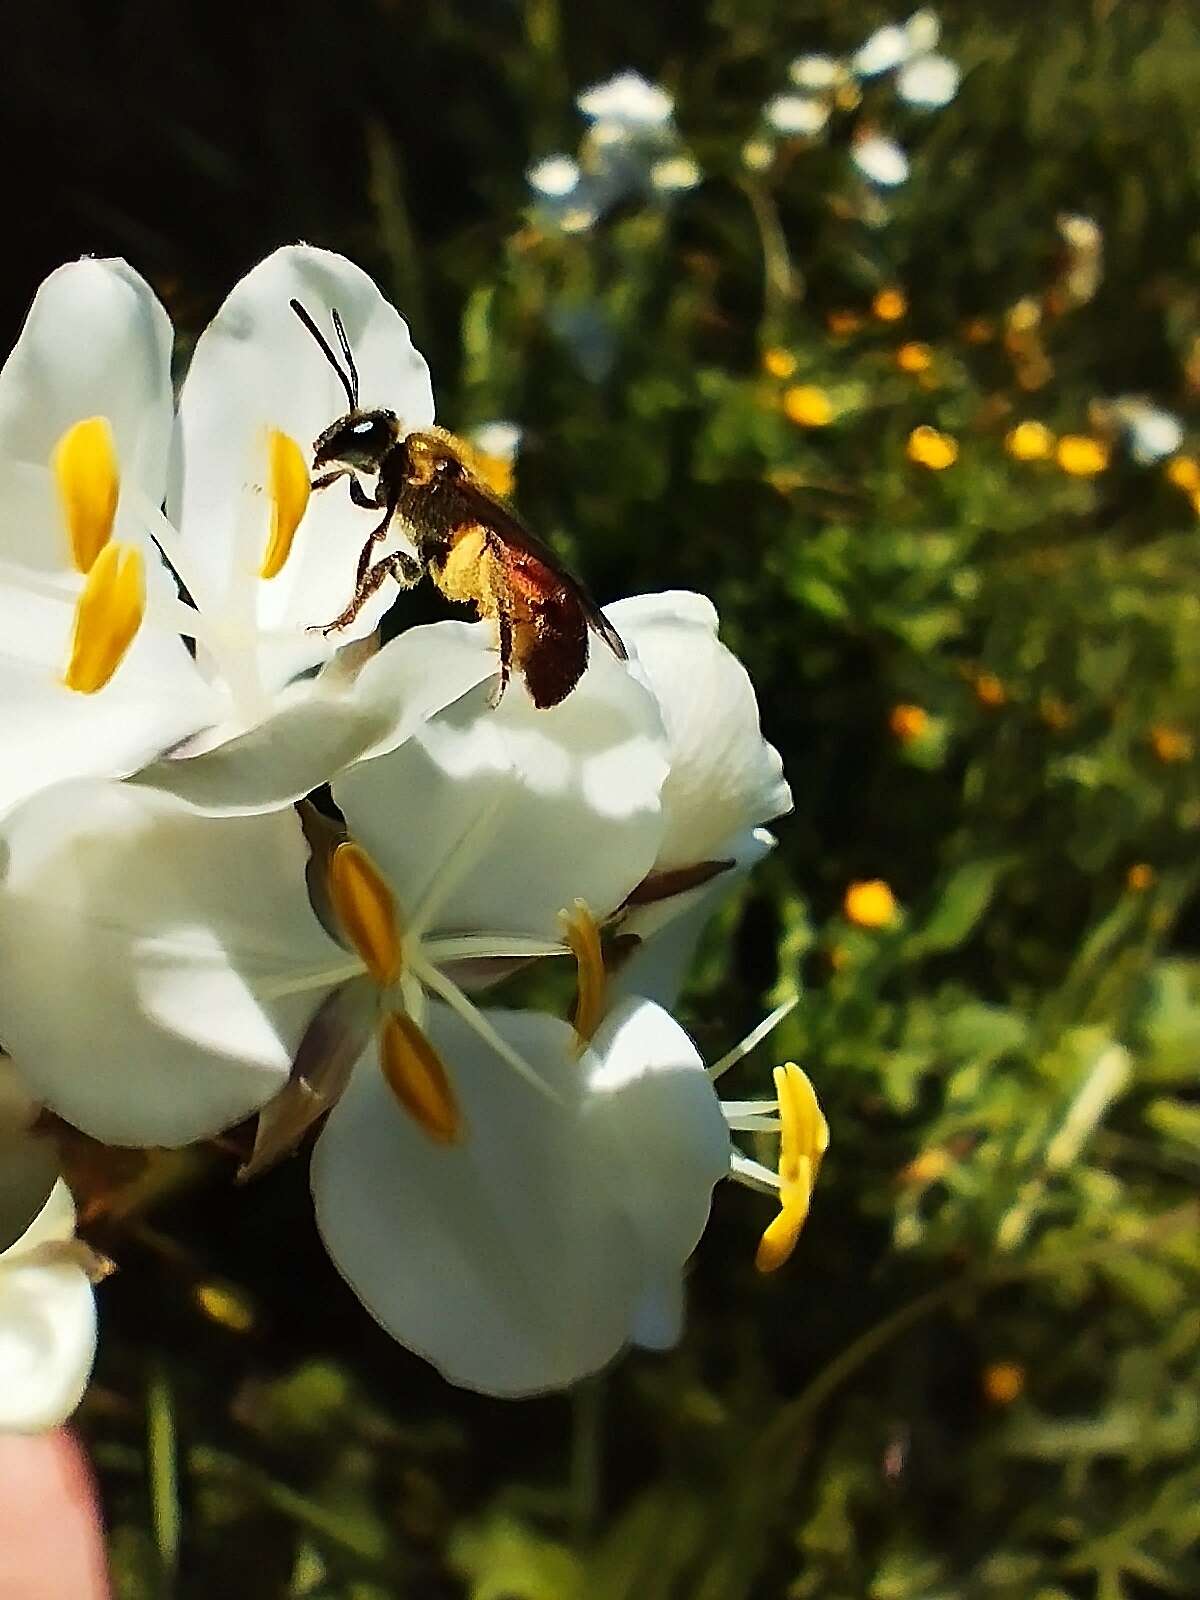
[258, 369]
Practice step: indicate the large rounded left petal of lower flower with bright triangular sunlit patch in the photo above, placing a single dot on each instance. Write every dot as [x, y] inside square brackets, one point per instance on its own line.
[140, 950]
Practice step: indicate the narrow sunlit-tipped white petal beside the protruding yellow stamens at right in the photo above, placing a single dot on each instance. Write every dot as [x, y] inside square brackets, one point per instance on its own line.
[650, 1098]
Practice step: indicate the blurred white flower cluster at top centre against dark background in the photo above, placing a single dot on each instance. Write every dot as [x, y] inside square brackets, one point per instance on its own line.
[631, 148]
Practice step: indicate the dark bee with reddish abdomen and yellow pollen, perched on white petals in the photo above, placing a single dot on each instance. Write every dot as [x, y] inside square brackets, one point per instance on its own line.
[470, 543]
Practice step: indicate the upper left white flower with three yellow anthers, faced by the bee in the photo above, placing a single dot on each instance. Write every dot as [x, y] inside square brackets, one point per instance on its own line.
[94, 674]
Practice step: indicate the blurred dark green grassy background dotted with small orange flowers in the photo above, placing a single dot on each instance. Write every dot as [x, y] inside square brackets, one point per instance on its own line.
[978, 1378]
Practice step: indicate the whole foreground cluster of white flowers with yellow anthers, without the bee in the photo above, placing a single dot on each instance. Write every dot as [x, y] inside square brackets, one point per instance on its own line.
[252, 866]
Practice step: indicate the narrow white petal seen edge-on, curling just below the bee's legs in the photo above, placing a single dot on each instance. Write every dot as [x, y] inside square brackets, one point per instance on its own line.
[324, 726]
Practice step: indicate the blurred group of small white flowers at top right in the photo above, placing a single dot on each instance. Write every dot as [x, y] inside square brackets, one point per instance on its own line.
[823, 86]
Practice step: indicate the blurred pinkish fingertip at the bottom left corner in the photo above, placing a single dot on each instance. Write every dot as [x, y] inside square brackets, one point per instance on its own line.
[52, 1542]
